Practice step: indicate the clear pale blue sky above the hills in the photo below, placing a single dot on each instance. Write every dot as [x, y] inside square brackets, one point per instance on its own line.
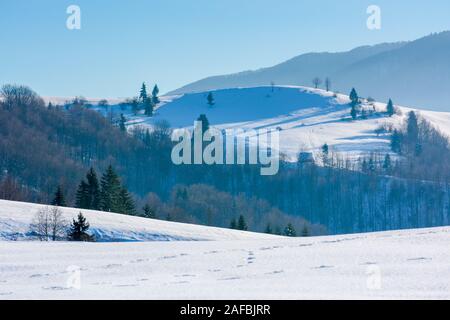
[173, 42]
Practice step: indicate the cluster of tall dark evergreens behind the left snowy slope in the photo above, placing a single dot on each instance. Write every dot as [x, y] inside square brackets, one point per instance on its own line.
[108, 195]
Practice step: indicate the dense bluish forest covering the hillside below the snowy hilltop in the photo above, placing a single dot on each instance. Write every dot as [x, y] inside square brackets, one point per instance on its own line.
[43, 147]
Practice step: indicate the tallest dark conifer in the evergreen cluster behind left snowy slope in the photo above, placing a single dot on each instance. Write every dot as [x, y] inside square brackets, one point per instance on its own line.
[110, 193]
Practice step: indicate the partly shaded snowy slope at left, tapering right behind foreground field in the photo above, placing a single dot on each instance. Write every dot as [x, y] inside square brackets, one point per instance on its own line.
[16, 217]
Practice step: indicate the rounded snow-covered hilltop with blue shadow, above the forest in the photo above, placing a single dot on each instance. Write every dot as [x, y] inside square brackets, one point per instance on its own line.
[306, 118]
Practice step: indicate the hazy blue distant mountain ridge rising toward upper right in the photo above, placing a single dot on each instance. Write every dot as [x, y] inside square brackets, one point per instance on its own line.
[415, 73]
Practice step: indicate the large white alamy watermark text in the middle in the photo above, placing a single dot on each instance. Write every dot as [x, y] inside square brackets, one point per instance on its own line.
[229, 146]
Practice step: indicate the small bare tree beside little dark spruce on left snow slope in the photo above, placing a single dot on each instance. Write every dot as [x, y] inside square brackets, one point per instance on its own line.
[49, 224]
